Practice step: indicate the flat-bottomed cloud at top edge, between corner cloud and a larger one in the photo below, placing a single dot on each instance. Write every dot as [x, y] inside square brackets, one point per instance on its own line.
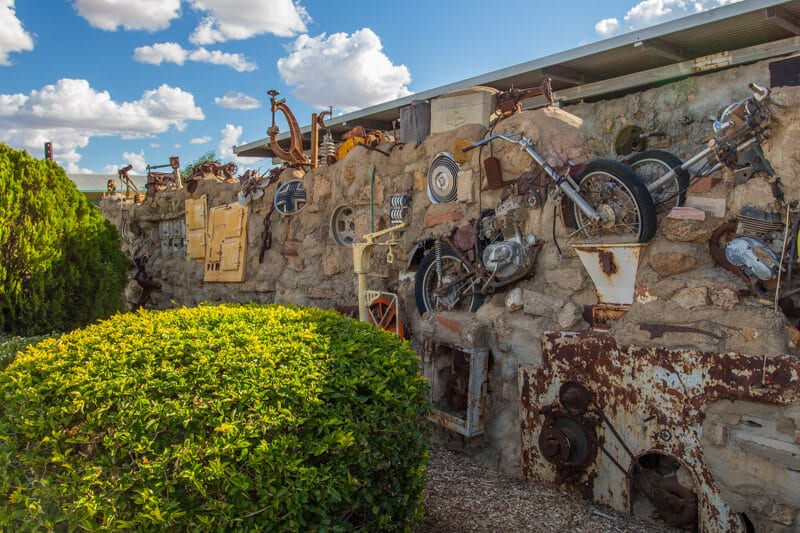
[150, 15]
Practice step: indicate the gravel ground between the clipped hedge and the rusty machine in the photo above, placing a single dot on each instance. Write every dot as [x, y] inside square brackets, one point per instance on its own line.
[462, 496]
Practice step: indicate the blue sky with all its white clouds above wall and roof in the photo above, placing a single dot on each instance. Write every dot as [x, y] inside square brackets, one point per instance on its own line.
[112, 82]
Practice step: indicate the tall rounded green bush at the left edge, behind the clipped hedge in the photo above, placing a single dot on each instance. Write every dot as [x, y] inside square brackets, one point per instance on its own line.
[60, 261]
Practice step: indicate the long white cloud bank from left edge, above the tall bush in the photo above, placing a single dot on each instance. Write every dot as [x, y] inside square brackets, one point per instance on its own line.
[70, 112]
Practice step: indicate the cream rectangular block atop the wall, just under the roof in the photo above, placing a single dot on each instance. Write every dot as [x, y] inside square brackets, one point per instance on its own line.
[471, 106]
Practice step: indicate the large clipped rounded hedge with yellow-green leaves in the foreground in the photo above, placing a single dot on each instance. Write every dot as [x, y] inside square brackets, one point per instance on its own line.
[256, 418]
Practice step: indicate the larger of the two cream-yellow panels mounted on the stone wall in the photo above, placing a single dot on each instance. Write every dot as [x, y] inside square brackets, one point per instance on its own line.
[226, 243]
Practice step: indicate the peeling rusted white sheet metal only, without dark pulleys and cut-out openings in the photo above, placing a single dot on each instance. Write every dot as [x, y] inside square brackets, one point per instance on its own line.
[652, 400]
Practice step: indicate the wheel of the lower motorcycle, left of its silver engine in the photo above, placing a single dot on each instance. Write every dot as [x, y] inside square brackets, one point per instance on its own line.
[427, 278]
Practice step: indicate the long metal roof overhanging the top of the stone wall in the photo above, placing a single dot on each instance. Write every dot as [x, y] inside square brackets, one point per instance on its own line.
[767, 28]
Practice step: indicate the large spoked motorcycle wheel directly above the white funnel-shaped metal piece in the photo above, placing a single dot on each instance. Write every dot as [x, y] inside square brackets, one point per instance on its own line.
[615, 190]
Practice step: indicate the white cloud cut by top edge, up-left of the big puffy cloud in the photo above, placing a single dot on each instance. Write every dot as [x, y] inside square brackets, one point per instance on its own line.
[243, 19]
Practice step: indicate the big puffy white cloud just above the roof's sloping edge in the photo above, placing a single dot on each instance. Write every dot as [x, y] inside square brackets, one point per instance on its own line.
[344, 71]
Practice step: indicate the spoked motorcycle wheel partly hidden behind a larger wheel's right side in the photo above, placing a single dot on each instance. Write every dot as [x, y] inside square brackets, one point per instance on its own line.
[651, 165]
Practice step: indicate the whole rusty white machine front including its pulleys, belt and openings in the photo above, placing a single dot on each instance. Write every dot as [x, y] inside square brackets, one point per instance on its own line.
[678, 435]
